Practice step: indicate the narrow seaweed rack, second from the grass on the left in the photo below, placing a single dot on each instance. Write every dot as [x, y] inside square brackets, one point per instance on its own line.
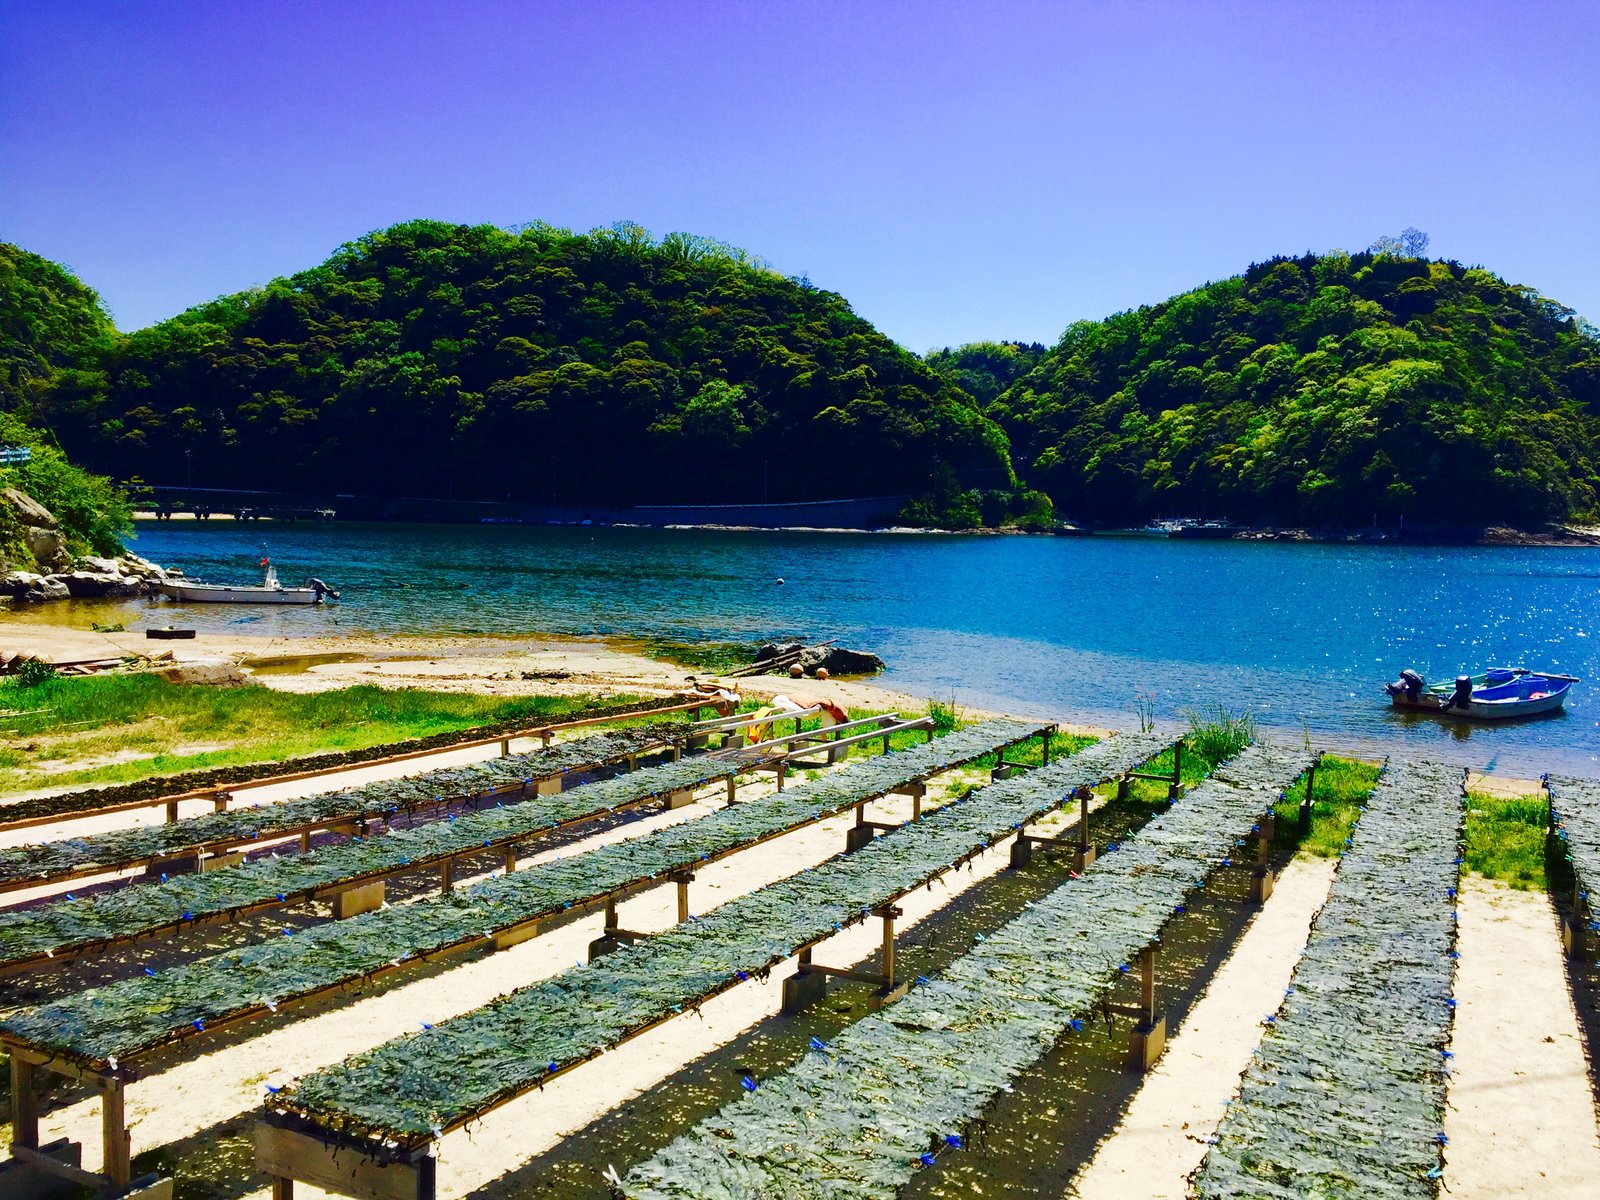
[390, 798]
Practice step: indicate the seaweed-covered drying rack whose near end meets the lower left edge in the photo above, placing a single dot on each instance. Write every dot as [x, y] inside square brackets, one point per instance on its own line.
[137, 1015]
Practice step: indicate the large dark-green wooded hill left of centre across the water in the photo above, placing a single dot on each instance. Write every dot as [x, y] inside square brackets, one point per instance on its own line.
[540, 366]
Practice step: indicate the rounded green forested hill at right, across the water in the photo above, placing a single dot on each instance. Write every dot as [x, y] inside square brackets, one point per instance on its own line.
[1321, 390]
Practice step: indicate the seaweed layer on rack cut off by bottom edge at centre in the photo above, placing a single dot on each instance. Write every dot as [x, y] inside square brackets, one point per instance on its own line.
[862, 1114]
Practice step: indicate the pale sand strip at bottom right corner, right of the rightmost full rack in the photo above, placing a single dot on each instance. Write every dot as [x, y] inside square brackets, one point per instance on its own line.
[1521, 1111]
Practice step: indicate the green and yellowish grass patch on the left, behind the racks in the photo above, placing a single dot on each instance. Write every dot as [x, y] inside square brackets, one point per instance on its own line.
[119, 729]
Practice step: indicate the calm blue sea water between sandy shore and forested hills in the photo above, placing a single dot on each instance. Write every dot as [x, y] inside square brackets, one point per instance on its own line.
[1055, 626]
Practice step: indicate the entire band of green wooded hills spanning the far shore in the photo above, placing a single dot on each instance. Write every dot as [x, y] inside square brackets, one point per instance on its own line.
[612, 367]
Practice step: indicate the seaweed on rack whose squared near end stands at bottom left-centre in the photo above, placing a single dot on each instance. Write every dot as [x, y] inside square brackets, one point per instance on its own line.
[415, 1087]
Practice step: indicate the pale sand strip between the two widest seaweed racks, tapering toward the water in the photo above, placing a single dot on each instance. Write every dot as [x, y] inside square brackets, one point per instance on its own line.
[1162, 1135]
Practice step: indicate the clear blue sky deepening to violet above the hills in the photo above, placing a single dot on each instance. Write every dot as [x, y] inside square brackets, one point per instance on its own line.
[956, 170]
